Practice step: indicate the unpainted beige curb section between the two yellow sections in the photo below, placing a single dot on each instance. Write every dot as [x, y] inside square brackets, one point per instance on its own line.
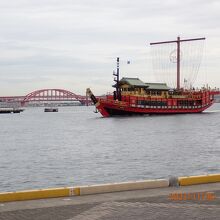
[126, 186]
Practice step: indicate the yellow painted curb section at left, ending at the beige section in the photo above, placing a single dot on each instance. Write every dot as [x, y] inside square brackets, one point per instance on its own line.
[39, 194]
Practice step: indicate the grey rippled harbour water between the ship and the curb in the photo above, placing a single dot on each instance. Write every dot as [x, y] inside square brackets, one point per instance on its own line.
[77, 147]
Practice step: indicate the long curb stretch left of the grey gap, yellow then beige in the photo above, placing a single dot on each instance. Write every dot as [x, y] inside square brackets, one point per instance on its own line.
[81, 190]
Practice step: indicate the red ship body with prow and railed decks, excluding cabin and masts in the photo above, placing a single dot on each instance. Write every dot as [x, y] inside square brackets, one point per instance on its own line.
[182, 103]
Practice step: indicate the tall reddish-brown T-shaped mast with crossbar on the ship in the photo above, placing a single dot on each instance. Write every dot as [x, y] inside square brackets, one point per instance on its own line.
[178, 41]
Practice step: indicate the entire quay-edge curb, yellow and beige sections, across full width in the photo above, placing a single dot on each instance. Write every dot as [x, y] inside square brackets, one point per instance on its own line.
[105, 188]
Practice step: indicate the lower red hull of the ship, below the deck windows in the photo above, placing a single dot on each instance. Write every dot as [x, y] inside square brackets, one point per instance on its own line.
[111, 107]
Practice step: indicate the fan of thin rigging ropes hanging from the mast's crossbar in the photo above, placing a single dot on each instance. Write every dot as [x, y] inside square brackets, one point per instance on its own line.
[164, 62]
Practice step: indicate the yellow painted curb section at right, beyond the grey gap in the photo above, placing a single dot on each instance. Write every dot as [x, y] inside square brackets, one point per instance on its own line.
[192, 180]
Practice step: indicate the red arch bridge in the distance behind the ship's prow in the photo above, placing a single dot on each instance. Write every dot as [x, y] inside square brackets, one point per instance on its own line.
[47, 95]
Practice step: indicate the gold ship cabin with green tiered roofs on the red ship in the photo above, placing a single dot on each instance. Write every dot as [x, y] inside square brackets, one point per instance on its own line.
[136, 87]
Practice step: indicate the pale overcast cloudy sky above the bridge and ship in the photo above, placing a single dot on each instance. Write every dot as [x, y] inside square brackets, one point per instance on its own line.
[73, 44]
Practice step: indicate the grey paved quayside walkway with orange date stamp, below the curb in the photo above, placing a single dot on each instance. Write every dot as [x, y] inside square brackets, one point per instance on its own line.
[191, 202]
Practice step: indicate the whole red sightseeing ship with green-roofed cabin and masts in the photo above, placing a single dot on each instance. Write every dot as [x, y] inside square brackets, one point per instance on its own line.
[132, 96]
